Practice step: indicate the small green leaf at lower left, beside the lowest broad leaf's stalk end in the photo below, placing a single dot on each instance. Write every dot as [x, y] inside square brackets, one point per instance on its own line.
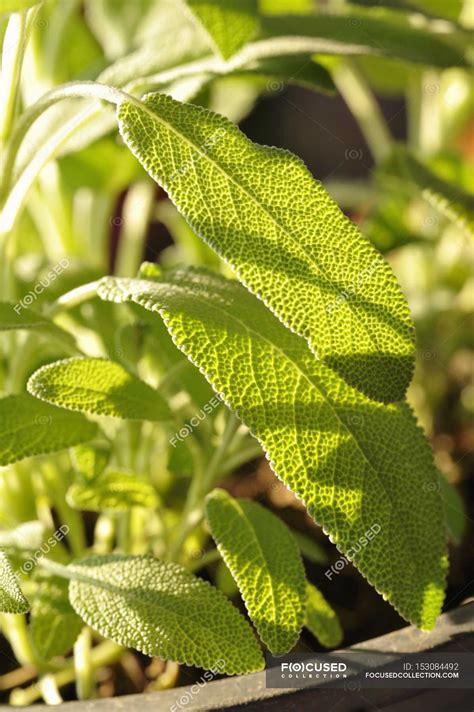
[54, 626]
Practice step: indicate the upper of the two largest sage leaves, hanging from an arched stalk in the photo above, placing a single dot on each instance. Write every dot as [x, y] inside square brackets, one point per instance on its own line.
[286, 239]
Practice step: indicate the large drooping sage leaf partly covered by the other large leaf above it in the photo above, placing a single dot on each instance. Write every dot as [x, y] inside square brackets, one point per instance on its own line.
[330, 444]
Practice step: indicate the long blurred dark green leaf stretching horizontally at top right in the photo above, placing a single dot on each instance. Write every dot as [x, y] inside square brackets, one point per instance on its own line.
[363, 33]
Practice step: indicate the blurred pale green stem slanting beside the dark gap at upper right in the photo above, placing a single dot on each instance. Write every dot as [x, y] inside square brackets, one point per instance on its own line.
[364, 107]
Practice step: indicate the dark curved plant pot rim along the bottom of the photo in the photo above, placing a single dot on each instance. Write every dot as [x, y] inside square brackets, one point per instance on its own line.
[454, 633]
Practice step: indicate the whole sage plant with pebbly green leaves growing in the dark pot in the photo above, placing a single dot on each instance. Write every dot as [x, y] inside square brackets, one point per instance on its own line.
[272, 316]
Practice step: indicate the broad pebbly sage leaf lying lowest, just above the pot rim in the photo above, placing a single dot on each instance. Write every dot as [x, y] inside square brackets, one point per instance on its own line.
[160, 608]
